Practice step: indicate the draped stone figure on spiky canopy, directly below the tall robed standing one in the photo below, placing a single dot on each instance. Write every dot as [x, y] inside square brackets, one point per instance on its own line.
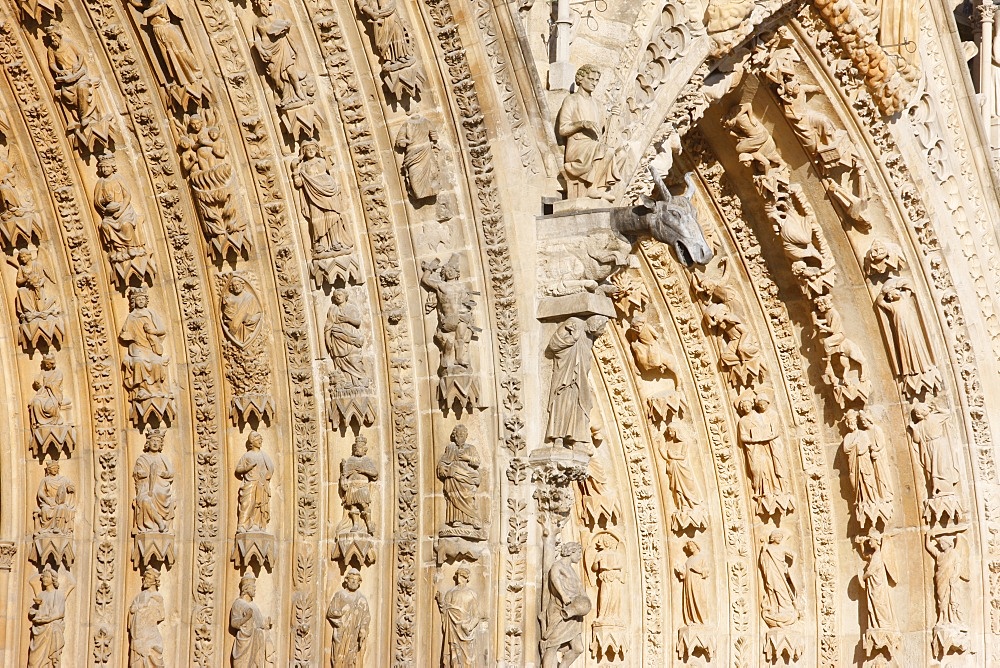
[352, 397]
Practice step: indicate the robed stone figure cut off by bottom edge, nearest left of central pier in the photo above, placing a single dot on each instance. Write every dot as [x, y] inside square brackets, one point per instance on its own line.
[460, 620]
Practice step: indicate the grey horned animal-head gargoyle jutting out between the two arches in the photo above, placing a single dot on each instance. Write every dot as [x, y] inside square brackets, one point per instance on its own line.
[671, 220]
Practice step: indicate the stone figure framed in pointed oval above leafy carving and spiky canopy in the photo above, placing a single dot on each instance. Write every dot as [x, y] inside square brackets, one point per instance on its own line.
[248, 368]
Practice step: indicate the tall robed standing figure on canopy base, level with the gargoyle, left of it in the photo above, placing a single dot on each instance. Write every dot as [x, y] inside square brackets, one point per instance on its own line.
[320, 202]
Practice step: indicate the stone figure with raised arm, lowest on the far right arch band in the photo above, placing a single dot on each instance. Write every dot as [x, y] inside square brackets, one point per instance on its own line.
[951, 591]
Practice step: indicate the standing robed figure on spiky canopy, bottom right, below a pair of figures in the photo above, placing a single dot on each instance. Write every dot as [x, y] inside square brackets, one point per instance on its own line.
[780, 603]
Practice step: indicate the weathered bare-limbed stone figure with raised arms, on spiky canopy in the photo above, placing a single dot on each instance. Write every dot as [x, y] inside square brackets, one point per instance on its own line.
[458, 383]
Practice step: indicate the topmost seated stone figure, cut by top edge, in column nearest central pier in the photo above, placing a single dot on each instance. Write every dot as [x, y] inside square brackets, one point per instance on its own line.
[402, 73]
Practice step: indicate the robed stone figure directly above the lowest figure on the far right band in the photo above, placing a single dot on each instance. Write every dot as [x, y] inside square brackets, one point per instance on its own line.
[940, 463]
